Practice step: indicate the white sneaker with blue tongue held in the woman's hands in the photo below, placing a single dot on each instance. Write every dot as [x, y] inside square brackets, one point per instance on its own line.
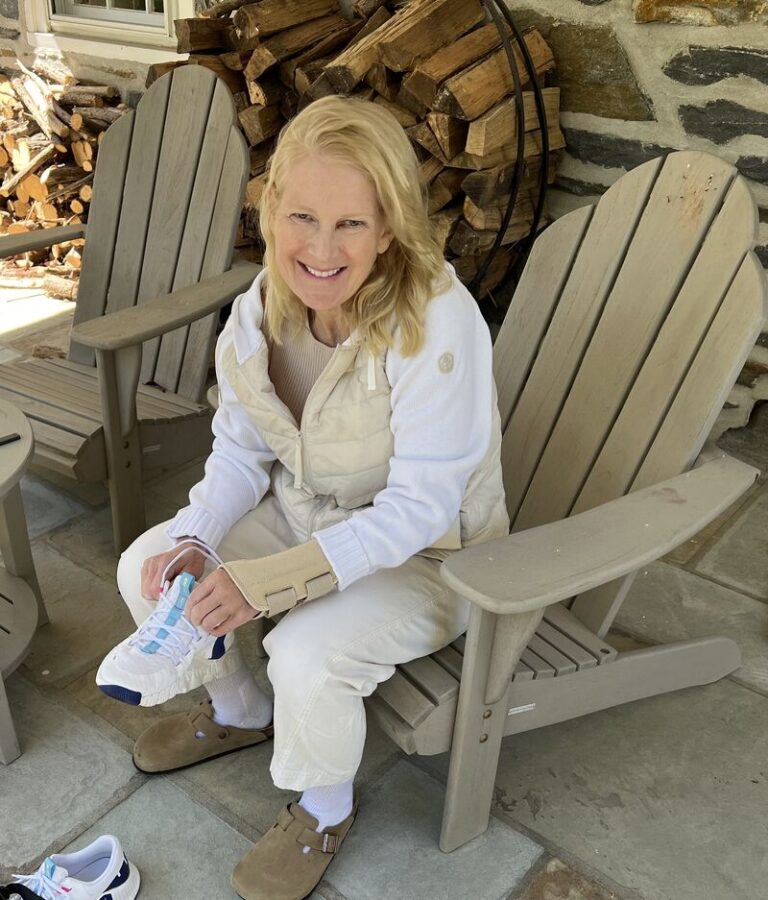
[167, 655]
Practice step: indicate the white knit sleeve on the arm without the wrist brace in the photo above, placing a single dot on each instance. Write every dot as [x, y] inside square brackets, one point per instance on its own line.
[236, 472]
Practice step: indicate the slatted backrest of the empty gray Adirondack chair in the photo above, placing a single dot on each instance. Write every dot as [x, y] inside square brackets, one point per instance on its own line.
[167, 198]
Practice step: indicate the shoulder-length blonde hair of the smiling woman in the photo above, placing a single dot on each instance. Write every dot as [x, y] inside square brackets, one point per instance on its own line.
[411, 271]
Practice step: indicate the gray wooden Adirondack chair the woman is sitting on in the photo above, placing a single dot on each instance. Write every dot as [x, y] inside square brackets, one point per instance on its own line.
[629, 327]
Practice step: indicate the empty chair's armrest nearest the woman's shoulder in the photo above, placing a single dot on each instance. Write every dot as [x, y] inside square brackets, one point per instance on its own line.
[129, 327]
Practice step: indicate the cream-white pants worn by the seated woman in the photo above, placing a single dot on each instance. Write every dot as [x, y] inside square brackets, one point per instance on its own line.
[327, 655]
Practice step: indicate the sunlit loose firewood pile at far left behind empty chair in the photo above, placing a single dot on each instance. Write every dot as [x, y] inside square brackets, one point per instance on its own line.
[50, 129]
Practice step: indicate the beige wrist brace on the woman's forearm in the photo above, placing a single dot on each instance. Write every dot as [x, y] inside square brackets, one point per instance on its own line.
[276, 583]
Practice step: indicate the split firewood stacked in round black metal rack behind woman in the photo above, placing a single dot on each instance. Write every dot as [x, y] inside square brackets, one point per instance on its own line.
[437, 65]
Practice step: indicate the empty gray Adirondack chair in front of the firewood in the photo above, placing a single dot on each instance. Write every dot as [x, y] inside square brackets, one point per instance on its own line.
[168, 191]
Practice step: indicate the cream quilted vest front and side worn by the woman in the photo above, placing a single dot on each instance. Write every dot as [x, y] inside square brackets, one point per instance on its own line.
[339, 460]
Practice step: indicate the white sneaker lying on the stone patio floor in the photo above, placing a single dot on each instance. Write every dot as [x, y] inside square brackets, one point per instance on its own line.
[97, 872]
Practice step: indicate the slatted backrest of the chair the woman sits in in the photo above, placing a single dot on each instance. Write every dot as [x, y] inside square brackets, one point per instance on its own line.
[626, 333]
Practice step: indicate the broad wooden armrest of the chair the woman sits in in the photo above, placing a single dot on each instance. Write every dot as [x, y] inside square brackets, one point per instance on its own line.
[532, 569]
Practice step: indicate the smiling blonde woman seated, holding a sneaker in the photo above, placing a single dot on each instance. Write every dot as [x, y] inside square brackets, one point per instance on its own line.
[356, 444]
